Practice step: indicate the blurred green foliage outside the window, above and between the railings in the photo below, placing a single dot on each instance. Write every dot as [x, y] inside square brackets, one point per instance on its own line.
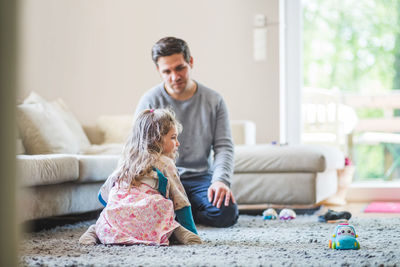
[354, 46]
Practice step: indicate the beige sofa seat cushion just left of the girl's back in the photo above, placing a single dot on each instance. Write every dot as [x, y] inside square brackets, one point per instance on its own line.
[96, 167]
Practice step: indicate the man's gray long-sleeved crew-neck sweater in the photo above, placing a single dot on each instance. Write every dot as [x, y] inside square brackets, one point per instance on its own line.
[205, 122]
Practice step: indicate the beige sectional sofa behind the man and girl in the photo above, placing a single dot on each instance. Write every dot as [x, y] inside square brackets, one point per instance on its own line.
[61, 164]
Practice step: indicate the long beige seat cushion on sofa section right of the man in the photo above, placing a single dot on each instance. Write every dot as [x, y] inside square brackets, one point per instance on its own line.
[296, 158]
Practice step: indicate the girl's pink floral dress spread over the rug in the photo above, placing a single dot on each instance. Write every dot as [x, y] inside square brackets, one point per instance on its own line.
[139, 215]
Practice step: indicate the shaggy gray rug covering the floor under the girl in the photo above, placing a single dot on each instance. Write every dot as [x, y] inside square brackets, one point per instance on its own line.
[251, 242]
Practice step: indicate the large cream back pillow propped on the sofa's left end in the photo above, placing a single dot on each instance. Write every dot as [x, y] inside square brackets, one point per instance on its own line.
[48, 128]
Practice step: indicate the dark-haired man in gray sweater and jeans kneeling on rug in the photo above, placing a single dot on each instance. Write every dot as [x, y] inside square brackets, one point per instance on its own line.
[205, 121]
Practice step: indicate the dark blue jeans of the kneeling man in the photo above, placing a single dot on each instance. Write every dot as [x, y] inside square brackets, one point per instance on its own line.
[203, 211]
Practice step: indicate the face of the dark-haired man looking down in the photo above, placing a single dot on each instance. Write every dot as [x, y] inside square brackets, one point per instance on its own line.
[175, 72]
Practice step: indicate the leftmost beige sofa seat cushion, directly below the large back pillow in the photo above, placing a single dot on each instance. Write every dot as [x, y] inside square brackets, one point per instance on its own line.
[46, 169]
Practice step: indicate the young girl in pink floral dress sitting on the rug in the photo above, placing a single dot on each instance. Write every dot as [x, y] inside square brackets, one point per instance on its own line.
[143, 195]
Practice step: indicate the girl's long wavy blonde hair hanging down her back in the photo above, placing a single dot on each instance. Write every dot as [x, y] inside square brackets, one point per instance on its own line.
[145, 144]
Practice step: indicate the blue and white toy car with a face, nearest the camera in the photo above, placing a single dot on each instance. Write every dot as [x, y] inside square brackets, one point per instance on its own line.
[344, 237]
